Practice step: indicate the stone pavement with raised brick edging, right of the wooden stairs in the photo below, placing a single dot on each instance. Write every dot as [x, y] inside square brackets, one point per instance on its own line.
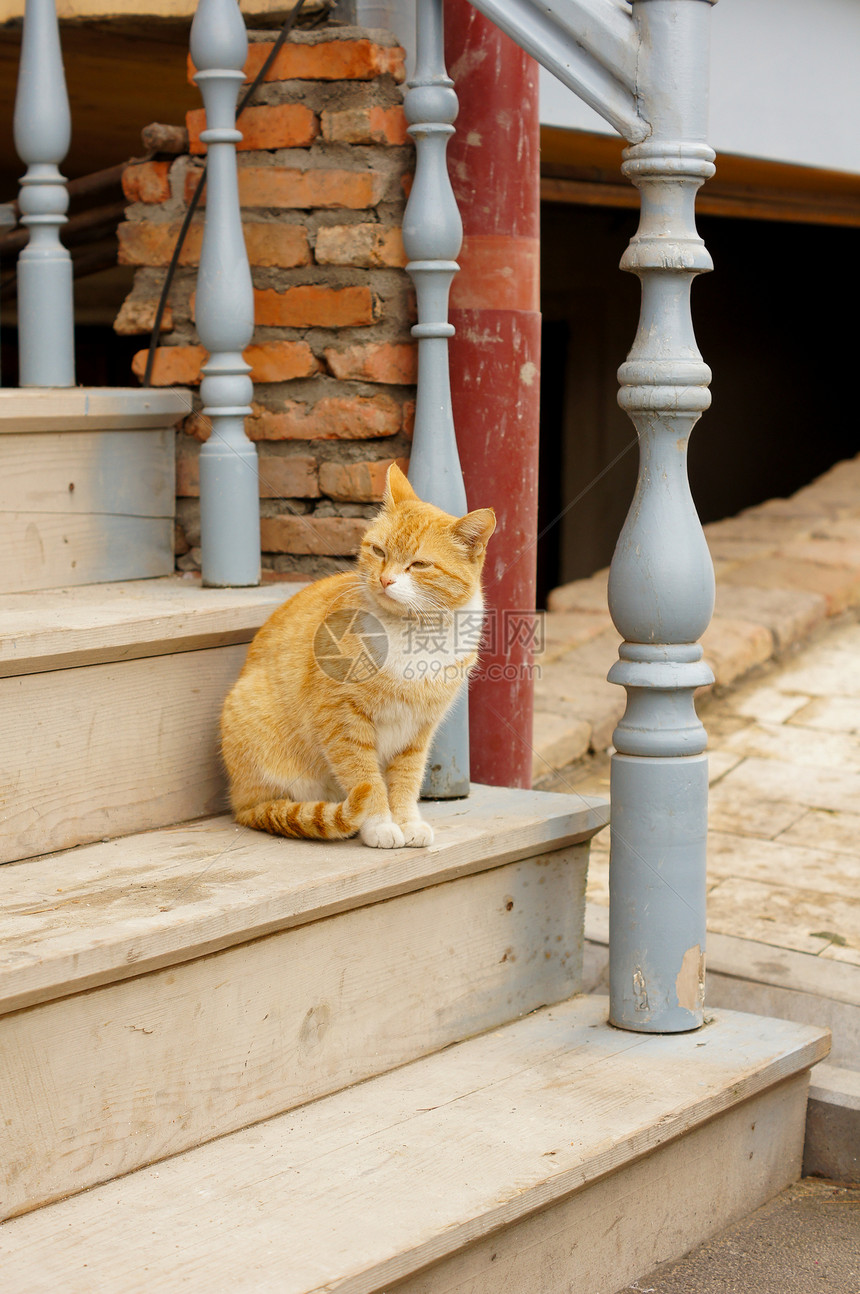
[784, 754]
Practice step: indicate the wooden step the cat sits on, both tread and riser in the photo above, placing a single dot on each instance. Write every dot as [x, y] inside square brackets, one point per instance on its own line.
[165, 989]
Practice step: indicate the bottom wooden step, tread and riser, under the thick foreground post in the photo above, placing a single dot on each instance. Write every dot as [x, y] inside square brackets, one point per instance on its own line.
[549, 1156]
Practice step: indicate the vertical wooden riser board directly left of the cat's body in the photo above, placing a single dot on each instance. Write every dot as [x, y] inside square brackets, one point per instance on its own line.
[108, 750]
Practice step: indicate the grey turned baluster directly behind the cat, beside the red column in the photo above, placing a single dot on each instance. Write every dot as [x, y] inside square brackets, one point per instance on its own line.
[433, 237]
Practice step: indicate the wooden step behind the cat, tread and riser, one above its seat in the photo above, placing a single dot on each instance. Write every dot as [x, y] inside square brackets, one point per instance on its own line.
[109, 706]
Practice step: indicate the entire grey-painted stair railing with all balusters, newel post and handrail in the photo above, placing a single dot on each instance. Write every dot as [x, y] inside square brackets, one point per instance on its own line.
[645, 69]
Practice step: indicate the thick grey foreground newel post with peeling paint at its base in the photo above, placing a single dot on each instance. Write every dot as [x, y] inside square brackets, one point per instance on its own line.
[661, 584]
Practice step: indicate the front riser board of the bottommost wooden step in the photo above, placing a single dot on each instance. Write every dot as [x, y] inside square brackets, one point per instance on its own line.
[611, 1235]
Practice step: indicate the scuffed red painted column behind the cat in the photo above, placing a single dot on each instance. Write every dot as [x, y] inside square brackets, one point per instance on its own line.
[495, 359]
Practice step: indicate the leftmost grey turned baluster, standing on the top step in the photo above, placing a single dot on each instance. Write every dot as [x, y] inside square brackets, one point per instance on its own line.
[42, 135]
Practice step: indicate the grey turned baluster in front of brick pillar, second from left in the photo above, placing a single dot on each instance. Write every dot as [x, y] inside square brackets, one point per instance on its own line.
[224, 310]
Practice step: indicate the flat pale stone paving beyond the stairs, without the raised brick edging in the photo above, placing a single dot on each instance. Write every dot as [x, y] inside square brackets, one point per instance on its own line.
[784, 821]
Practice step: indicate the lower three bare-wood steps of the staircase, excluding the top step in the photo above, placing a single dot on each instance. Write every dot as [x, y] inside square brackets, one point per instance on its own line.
[232, 1062]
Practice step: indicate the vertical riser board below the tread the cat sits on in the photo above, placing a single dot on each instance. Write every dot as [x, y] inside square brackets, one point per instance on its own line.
[184, 1055]
